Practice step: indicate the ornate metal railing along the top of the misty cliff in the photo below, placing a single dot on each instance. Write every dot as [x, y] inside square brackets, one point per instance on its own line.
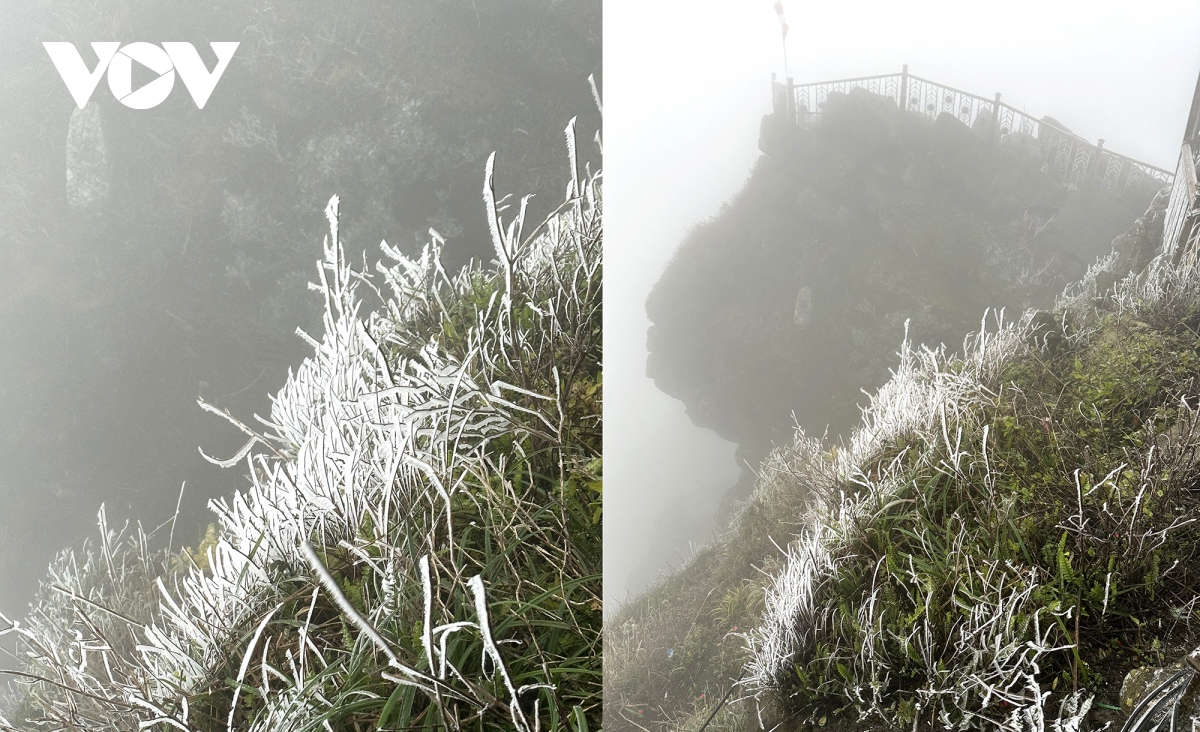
[1065, 155]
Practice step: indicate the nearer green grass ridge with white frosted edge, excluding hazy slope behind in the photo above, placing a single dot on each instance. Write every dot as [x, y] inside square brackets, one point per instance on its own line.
[1031, 509]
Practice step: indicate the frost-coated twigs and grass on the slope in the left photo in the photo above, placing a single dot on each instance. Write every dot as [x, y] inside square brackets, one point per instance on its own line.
[419, 545]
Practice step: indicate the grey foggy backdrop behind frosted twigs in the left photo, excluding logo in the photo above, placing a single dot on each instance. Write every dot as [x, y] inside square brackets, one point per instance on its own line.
[153, 257]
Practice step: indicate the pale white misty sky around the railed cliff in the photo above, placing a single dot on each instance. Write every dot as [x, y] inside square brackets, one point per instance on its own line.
[688, 83]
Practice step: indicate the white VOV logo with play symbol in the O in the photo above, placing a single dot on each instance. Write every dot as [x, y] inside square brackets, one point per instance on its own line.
[119, 59]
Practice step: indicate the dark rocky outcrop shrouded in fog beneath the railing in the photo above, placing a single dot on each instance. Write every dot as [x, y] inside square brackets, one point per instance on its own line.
[793, 298]
